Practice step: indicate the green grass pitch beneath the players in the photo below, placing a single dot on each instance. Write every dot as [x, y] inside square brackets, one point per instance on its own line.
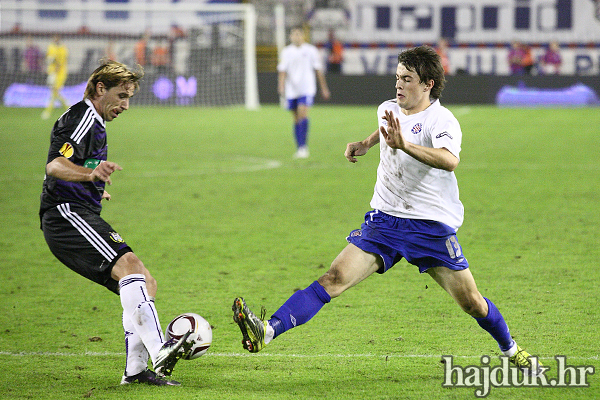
[213, 203]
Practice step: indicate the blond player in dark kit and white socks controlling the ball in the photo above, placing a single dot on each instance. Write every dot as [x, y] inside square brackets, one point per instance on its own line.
[77, 171]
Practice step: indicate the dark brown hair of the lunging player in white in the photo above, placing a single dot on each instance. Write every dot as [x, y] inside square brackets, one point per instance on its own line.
[427, 64]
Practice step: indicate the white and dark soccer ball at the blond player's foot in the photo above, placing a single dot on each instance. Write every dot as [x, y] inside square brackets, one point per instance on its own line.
[201, 333]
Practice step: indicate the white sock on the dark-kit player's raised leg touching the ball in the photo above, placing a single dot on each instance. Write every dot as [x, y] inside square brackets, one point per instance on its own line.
[138, 305]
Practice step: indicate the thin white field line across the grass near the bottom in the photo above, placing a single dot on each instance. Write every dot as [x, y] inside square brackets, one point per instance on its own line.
[266, 355]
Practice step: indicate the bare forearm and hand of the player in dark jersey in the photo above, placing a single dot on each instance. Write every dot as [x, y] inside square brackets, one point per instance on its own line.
[64, 169]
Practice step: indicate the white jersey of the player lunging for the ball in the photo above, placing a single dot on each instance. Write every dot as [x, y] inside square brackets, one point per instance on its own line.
[407, 188]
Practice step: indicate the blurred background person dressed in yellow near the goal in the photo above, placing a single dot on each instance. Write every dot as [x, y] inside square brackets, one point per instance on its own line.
[57, 56]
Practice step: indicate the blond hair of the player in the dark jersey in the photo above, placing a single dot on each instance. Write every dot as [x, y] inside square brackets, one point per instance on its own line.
[111, 74]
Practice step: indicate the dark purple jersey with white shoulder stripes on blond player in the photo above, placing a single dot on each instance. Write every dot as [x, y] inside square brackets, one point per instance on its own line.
[80, 136]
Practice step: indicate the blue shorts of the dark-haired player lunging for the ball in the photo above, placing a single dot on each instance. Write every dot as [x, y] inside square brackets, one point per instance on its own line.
[423, 243]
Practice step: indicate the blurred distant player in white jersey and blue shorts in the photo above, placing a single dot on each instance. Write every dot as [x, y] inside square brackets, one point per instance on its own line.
[298, 64]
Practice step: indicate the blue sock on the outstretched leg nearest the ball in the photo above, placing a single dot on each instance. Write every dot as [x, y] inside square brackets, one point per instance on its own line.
[299, 308]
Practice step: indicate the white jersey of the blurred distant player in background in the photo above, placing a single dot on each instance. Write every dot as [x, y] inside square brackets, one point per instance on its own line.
[299, 63]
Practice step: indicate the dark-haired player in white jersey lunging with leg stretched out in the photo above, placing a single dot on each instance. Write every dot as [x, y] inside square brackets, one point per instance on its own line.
[416, 213]
